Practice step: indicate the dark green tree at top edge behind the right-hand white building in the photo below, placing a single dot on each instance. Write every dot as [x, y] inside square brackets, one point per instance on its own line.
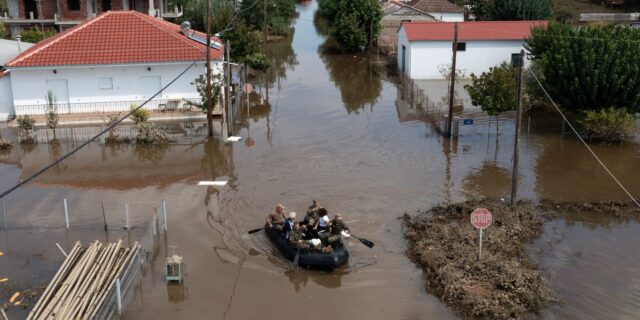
[521, 9]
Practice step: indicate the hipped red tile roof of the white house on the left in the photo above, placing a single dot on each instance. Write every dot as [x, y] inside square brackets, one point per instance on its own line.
[116, 37]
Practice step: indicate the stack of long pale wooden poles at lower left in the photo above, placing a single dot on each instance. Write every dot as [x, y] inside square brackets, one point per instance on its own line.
[81, 284]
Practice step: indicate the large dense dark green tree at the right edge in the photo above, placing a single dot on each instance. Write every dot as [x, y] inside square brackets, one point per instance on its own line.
[590, 67]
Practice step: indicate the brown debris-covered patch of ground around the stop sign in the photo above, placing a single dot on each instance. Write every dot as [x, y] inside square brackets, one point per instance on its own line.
[506, 283]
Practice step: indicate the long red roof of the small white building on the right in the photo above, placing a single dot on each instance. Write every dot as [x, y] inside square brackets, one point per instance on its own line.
[469, 31]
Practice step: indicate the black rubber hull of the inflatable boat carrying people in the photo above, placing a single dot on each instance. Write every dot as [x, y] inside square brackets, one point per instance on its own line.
[309, 259]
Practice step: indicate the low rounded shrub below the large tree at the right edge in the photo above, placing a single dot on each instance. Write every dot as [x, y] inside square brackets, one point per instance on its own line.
[609, 125]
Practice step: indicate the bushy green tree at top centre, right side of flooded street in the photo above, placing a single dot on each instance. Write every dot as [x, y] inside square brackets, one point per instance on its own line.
[355, 24]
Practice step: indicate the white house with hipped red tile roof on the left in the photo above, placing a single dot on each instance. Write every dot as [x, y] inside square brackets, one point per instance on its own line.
[115, 60]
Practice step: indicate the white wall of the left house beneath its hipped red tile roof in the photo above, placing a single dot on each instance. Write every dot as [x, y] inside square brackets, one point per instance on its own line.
[30, 85]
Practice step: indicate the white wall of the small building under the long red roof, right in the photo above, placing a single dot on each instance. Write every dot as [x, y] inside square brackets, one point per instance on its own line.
[424, 57]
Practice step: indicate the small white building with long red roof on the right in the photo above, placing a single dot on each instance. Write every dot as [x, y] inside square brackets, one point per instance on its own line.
[424, 48]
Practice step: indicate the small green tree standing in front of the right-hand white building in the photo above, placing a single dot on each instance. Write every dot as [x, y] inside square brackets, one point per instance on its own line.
[494, 91]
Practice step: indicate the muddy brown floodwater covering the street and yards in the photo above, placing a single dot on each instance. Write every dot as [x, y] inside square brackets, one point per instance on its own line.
[334, 130]
